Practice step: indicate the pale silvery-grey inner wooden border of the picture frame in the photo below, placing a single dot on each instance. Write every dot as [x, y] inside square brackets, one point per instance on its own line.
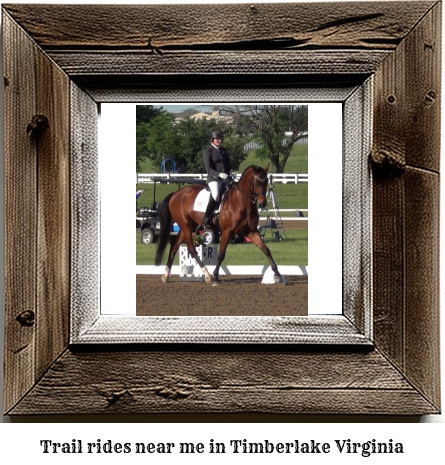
[90, 323]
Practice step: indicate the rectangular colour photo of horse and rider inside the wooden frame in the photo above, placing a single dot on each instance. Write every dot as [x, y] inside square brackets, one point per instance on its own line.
[222, 202]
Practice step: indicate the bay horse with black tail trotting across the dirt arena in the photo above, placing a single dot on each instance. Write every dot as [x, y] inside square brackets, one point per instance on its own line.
[238, 215]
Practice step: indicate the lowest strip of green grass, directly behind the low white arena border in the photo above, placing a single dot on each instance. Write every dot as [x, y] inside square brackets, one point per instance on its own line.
[292, 250]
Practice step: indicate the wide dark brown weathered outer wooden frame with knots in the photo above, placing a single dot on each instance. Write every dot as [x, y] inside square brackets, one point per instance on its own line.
[78, 56]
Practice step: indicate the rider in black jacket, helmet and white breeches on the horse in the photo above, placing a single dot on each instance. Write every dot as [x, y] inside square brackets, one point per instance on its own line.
[218, 168]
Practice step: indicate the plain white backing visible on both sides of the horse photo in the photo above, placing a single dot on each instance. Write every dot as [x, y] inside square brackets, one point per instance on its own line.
[117, 143]
